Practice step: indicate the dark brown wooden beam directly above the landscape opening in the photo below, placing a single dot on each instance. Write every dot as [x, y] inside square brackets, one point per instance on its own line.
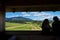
[34, 8]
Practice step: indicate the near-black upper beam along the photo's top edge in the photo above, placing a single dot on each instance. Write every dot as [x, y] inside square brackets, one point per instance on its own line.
[31, 2]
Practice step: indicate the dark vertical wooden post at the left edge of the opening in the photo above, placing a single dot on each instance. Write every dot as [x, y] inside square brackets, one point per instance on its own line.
[2, 17]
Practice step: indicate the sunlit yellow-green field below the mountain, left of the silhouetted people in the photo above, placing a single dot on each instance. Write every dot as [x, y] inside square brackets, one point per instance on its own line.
[24, 26]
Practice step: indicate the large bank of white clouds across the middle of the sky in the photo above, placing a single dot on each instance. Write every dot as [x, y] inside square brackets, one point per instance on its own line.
[38, 15]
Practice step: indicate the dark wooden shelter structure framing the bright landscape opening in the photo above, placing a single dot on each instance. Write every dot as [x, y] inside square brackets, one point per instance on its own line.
[27, 5]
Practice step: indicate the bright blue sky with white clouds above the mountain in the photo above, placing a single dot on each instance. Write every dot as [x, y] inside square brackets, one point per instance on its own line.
[34, 15]
